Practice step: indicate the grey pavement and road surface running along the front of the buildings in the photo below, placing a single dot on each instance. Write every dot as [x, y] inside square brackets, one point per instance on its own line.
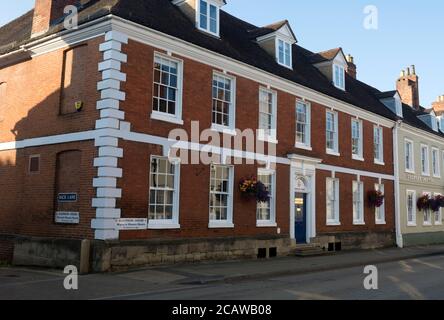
[196, 281]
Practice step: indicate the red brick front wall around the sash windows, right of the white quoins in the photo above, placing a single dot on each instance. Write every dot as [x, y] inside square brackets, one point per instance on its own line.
[195, 179]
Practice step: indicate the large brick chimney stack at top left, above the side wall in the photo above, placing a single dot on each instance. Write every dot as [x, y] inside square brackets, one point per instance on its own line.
[46, 12]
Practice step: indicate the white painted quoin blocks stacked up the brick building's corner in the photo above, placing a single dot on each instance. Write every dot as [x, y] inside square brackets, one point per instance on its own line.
[111, 117]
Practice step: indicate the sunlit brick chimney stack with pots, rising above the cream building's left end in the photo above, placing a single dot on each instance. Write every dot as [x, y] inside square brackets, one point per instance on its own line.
[408, 87]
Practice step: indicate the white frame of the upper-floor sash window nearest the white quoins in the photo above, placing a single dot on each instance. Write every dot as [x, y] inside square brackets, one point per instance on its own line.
[162, 116]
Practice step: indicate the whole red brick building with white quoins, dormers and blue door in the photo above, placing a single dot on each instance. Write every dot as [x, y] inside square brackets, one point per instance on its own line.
[85, 116]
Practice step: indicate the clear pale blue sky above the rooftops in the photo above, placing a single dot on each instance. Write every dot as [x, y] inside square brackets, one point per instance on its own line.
[409, 32]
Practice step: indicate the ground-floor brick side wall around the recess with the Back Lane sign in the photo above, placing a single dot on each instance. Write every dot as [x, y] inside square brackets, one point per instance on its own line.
[29, 203]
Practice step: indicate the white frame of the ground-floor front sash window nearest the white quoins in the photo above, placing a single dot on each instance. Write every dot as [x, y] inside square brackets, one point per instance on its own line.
[174, 222]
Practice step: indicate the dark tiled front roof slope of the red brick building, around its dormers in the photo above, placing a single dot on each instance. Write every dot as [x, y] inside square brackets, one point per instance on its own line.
[235, 42]
